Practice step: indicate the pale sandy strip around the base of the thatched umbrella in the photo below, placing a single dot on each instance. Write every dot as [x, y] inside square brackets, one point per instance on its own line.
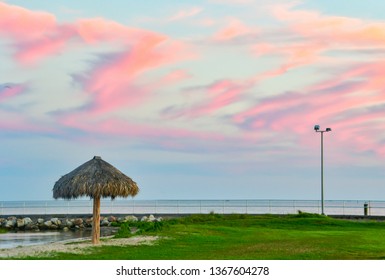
[69, 246]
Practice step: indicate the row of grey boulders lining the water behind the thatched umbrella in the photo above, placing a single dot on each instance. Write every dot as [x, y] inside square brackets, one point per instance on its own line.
[27, 224]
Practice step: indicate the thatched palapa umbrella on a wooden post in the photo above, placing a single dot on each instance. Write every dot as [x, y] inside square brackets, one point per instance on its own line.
[95, 178]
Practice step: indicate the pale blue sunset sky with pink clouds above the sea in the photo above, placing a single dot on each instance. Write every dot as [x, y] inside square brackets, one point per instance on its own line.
[212, 99]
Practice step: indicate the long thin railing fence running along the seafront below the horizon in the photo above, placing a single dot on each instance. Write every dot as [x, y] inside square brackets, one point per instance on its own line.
[62, 207]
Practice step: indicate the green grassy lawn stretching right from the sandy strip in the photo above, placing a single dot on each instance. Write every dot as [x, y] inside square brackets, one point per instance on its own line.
[208, 237]
